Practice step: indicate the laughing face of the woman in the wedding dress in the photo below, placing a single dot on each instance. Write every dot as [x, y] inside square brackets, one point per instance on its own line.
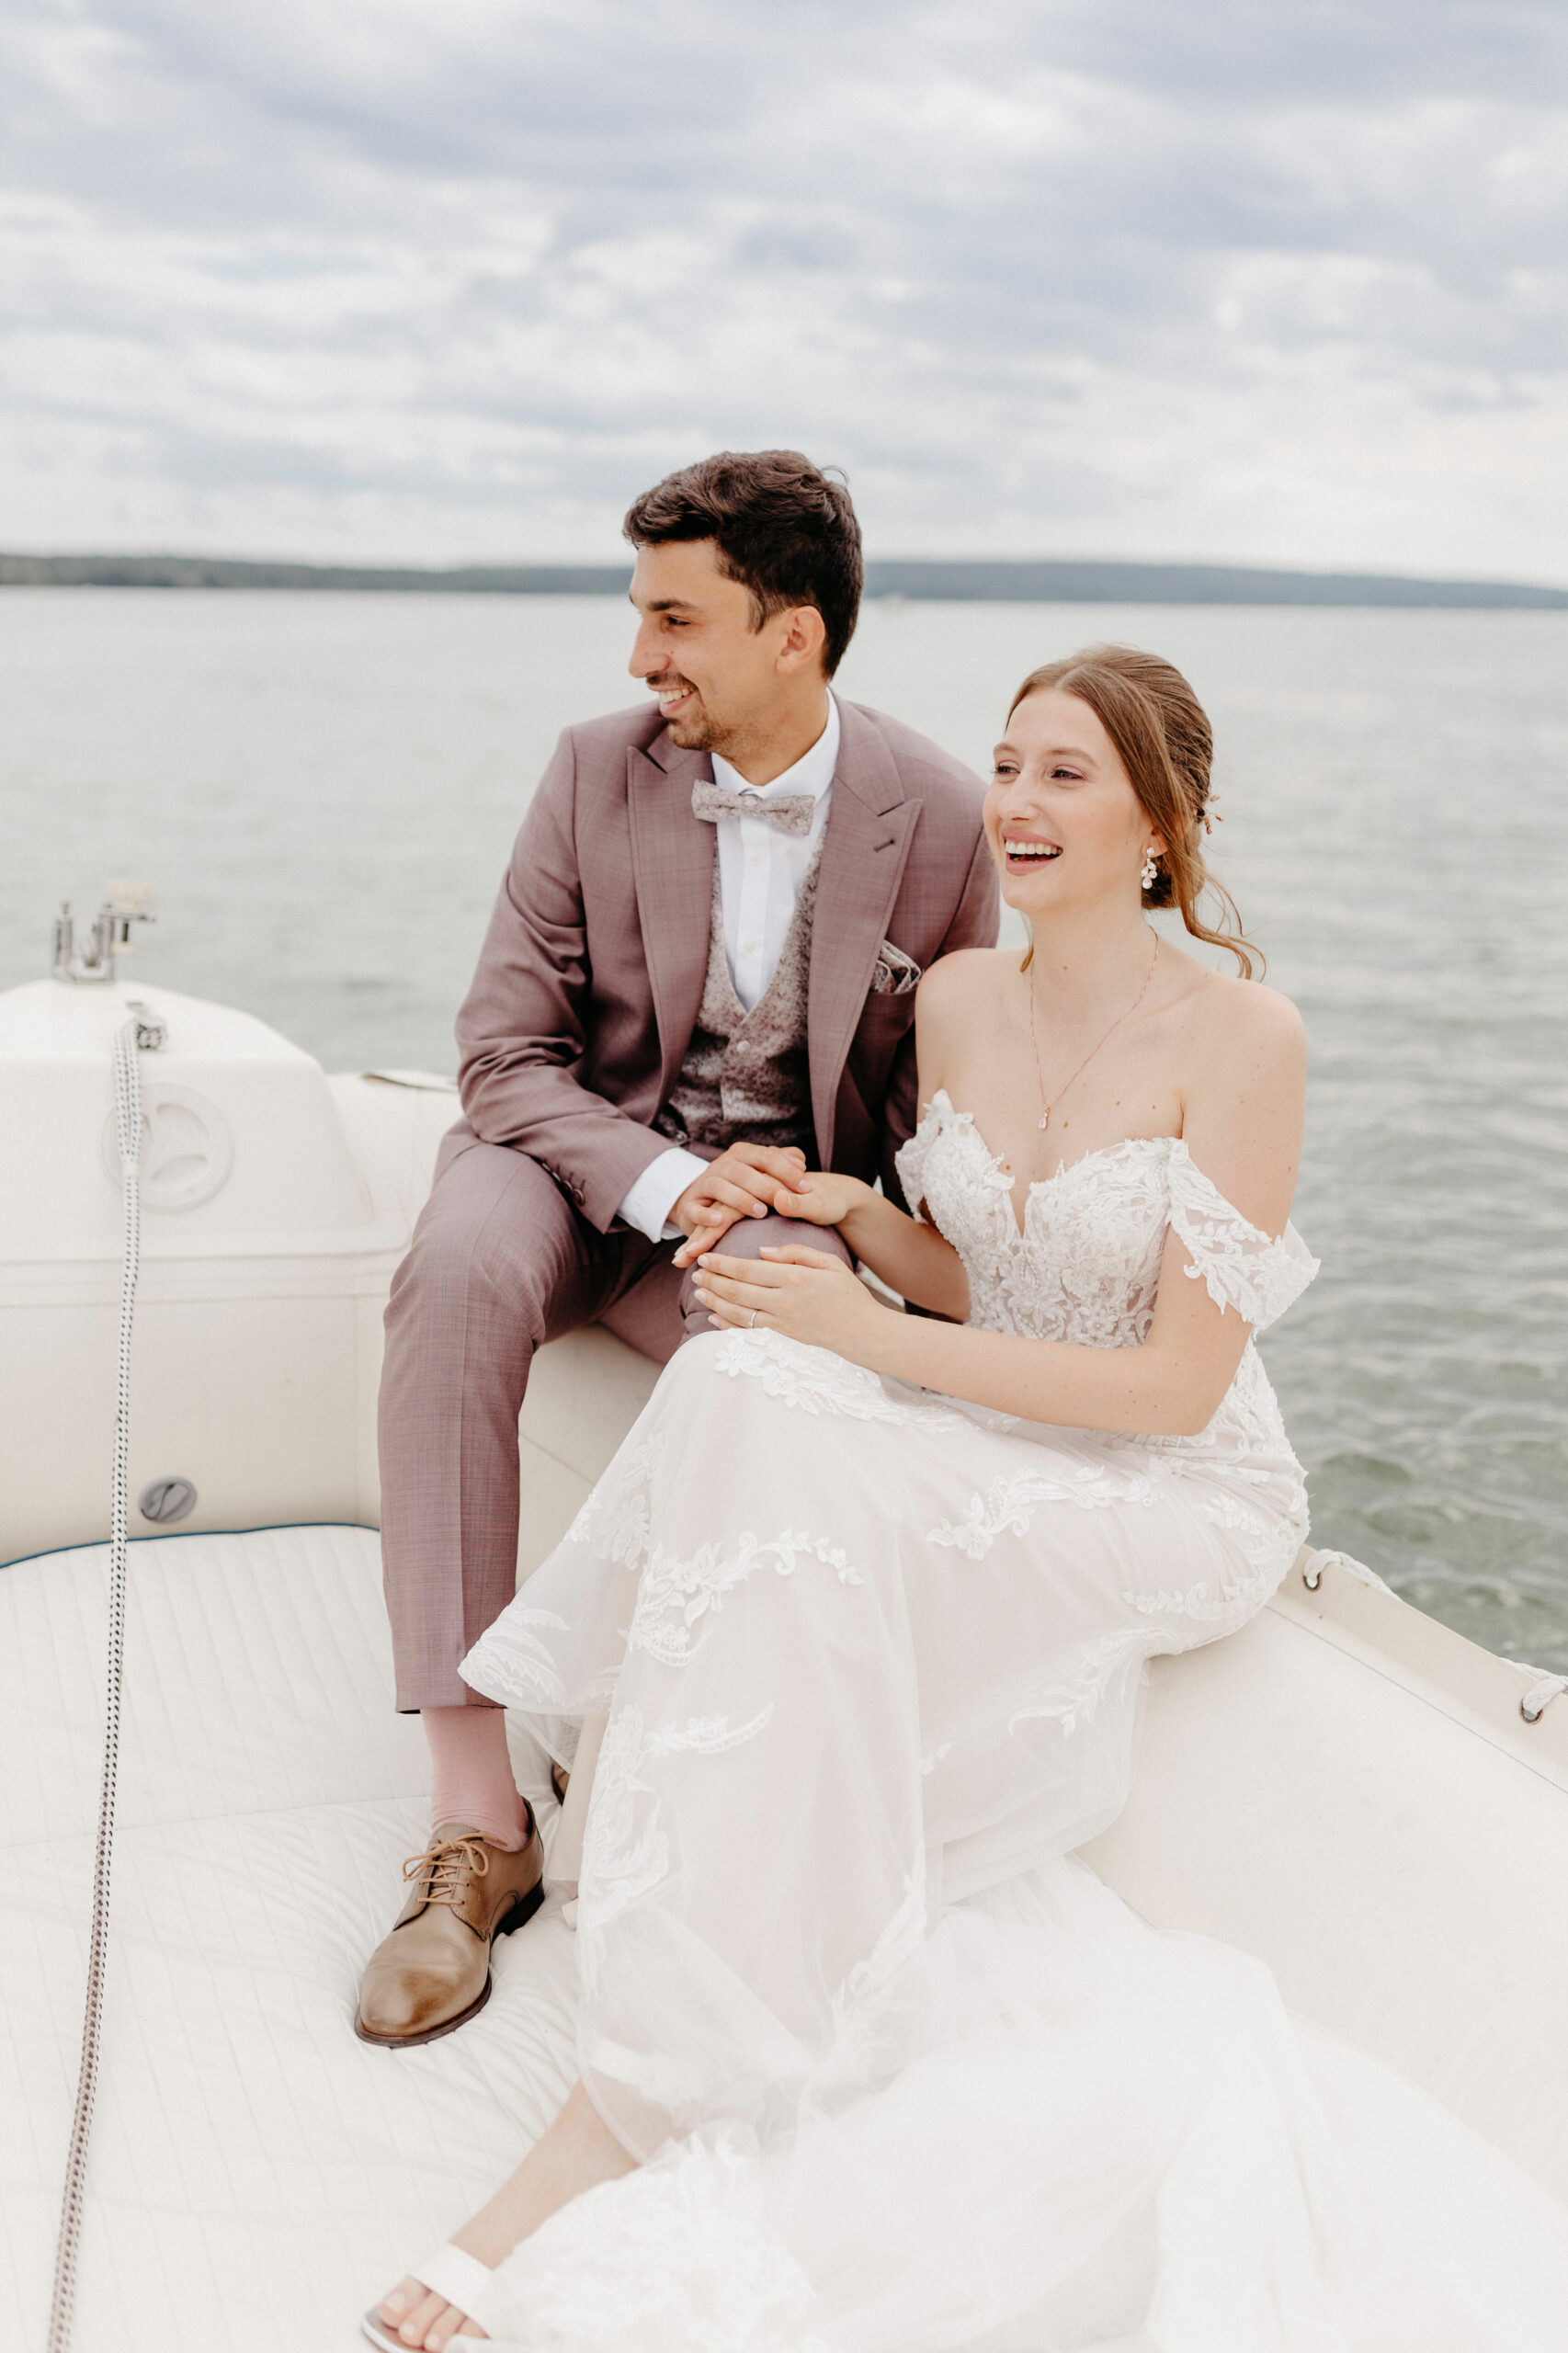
[1063, 818]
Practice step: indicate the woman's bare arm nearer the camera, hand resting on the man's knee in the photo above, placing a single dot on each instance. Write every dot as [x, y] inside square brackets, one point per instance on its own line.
[1242, 1124]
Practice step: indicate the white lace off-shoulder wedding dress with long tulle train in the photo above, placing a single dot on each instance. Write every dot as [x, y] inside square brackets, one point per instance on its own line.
[905, 2074]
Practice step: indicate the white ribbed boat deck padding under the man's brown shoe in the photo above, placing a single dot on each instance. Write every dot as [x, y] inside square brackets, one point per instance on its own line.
[255, 2175]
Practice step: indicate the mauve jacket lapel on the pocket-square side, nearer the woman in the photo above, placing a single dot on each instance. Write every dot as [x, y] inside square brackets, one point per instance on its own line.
[863, 862]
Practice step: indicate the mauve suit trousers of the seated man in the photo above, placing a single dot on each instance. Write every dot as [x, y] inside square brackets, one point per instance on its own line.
[500, 1262]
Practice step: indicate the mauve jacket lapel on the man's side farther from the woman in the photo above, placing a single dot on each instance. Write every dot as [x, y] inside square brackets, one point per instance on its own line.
[672, 860]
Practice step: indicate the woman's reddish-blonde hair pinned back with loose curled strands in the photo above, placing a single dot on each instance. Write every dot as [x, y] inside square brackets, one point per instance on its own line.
[1167, 745]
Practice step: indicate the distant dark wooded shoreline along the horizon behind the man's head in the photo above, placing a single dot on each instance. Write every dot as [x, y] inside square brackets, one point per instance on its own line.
[1082, 582]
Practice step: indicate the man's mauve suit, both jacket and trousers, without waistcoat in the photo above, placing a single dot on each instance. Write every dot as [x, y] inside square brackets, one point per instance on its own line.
[571, 1039]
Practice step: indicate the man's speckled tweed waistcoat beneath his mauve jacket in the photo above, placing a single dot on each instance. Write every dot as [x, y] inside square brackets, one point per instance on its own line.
[745, 1074]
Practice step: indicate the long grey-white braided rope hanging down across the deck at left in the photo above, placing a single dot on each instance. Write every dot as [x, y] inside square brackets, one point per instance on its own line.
[128, 1128]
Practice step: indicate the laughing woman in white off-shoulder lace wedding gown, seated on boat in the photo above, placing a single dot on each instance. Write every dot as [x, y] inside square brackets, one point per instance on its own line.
[868, 2060]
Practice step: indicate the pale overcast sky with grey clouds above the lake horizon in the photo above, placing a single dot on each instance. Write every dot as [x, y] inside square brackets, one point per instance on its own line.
[453, 279]
